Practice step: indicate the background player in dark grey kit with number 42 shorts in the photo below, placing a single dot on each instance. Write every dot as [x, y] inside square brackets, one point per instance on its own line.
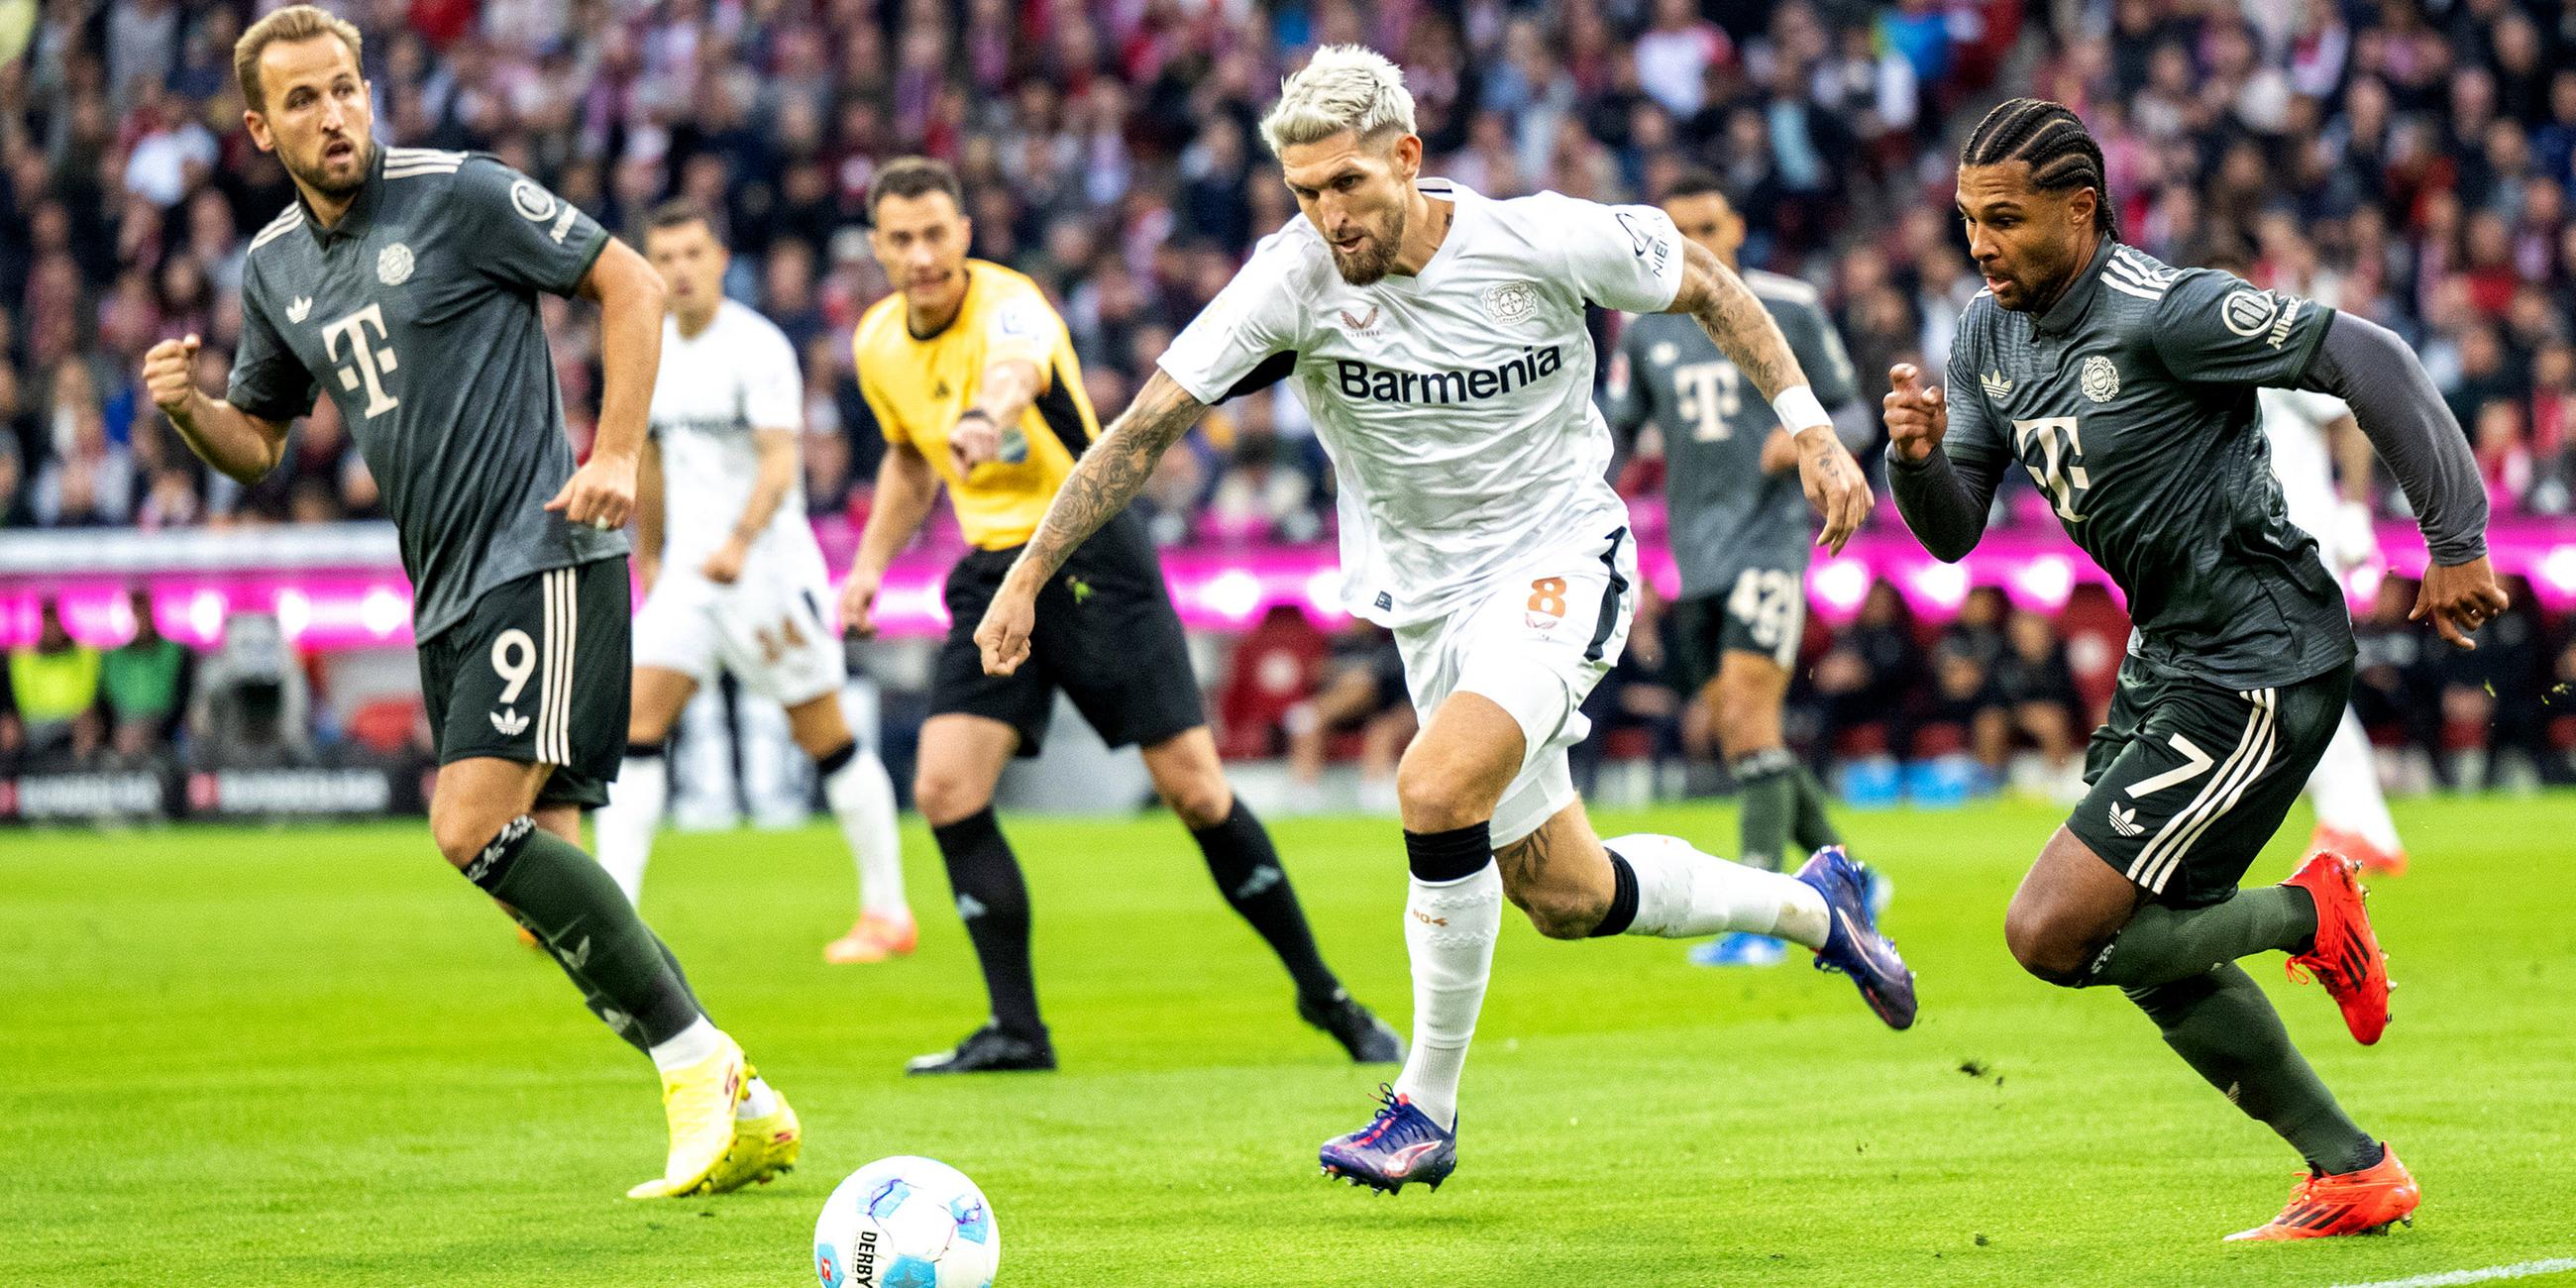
[1738, 532]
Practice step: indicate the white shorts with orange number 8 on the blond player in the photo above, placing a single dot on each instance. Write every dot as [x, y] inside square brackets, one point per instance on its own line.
[1534, 645]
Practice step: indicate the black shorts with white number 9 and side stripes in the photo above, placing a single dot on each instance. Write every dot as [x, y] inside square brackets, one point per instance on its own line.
[537, 674]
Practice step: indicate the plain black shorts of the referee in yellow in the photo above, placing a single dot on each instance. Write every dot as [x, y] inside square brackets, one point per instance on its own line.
[1106, 638]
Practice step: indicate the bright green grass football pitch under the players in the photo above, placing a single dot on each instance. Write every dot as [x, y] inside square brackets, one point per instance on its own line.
[318, 1057]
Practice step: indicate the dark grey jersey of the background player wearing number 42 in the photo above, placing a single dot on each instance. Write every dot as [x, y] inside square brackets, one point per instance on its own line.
[1727, 514]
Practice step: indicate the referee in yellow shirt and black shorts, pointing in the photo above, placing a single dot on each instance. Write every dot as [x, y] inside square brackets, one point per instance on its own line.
[975, 383]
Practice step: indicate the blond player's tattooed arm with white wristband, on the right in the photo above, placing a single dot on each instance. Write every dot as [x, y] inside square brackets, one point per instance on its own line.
[1745, 331]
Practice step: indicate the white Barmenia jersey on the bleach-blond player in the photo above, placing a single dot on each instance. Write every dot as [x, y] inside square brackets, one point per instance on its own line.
[1457, 403]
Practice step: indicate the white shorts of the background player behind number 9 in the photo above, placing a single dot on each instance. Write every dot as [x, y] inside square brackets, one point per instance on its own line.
[772, 632]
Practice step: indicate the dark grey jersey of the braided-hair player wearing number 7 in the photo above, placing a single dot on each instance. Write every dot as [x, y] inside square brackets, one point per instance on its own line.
[2132, 406]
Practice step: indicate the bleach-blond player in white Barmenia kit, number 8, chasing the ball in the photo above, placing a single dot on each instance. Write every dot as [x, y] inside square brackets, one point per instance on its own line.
[1439, 341]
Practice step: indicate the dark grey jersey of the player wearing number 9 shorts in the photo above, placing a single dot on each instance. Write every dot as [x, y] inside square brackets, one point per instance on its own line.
[419, 318]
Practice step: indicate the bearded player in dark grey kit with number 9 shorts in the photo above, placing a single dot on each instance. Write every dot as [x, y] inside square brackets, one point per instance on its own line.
[406, 285]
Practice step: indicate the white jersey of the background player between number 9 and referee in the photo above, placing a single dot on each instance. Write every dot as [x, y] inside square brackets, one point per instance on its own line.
[712, 393]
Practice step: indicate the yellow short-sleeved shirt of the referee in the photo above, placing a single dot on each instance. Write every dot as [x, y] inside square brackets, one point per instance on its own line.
[918, 385]
